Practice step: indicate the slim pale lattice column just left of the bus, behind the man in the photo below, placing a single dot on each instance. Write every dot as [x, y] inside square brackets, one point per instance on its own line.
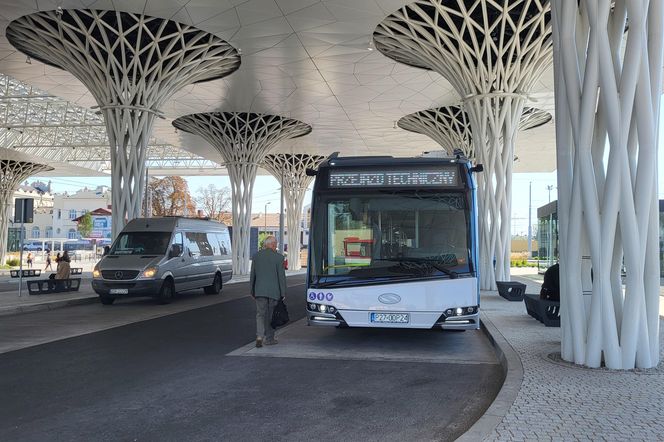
[290, 171]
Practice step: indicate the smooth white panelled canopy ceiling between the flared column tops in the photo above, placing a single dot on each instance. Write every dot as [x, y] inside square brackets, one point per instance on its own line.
[312, 61]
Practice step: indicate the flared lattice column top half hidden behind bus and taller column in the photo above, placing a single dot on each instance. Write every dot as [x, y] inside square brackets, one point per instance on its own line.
[450, 128]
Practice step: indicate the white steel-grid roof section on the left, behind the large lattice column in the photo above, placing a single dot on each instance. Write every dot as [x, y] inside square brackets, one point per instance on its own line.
[74, 137]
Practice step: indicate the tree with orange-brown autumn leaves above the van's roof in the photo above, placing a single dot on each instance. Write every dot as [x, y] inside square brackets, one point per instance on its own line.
[168, 196]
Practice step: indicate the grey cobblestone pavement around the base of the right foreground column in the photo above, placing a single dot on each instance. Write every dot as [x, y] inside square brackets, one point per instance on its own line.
[558, 401]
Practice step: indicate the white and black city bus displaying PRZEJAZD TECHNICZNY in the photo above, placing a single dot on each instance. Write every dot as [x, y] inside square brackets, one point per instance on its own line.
[394, 244]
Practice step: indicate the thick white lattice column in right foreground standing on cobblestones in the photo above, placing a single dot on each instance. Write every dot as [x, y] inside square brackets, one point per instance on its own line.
[608, 91]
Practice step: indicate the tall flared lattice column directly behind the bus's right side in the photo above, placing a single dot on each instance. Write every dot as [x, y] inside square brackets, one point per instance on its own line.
[492, 52]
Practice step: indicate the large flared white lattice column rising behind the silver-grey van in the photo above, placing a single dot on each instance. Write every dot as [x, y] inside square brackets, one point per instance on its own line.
[132, 64]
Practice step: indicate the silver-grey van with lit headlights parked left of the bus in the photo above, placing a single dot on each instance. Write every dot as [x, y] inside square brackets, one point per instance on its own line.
[159, 257]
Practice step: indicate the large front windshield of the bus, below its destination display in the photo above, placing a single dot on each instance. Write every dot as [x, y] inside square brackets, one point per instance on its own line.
[390, 236]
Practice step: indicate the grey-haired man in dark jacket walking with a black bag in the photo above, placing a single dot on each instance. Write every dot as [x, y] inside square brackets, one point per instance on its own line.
[268, 285]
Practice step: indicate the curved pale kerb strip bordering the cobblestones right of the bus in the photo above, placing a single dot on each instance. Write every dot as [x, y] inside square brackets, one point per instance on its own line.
[513, 369]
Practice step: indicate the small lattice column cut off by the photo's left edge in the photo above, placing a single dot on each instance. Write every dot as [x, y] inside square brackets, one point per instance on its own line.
[12, 174]
